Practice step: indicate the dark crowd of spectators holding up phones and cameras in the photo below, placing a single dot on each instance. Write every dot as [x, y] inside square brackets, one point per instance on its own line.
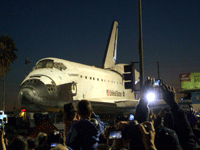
[171, 129]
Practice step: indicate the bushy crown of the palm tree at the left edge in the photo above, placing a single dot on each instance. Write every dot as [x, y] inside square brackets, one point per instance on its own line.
[7, 54]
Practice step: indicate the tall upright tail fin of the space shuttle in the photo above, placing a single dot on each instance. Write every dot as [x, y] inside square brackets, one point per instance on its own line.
[110, 55]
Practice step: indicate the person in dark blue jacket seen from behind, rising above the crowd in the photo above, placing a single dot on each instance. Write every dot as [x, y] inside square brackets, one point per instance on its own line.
[84, 134]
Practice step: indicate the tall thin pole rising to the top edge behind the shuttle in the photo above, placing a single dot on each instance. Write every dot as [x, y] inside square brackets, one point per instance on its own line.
[140, 45]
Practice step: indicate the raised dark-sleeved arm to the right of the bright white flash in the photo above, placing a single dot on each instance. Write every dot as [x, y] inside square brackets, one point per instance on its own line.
[181, 124]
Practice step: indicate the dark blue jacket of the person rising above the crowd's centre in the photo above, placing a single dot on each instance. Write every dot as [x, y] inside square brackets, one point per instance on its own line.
[84, 134]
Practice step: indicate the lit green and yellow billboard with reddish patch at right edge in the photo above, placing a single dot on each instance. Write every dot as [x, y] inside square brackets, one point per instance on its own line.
[190, 81]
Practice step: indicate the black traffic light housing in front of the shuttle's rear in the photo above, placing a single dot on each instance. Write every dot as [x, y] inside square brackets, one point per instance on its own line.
[129, 77]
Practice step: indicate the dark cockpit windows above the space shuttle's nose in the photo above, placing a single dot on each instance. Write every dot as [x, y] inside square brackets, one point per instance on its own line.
[48, 63]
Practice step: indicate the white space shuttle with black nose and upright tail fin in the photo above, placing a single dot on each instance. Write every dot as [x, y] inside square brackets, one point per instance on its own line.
[54, 82]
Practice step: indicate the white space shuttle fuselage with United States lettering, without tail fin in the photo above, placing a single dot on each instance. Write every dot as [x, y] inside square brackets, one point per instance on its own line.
[92, 83]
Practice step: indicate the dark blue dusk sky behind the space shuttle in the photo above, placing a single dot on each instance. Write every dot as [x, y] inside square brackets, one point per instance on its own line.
[78, 30]
